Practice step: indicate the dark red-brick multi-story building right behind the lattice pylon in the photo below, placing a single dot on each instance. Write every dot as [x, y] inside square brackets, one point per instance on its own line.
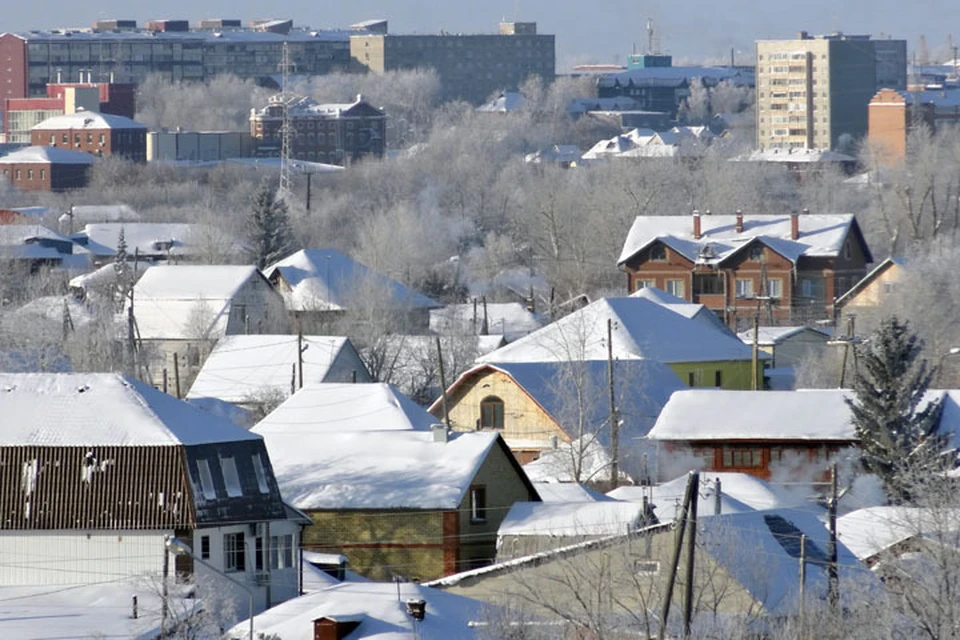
[330, 133]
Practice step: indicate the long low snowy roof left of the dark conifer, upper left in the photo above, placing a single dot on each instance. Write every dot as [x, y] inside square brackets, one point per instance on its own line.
[160, 239]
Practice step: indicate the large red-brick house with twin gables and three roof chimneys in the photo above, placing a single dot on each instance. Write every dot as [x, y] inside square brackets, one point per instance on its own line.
[790, 267]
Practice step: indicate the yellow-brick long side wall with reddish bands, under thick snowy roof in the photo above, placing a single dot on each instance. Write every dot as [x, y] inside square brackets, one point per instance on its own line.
[380, 545]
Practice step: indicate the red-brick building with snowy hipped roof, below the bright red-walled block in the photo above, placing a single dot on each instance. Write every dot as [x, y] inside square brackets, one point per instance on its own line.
[96, 133]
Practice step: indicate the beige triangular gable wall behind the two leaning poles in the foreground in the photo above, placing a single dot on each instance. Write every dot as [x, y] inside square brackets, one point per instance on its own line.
[635, 570]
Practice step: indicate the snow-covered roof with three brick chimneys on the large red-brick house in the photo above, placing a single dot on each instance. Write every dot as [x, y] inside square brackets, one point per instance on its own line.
[820, 235]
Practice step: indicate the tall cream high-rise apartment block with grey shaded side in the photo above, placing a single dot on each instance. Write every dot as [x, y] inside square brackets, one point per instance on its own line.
[812, 92]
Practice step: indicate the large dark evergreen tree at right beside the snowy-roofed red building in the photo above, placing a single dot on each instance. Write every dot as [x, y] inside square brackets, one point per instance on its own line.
[898, 430]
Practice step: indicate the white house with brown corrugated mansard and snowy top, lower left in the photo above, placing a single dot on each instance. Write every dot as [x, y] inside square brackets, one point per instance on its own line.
[97, 470]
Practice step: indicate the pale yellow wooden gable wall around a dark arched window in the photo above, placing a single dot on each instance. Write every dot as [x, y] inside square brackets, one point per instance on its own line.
[528, 429]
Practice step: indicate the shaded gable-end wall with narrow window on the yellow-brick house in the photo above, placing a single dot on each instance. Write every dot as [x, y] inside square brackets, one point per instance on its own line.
[503, 486]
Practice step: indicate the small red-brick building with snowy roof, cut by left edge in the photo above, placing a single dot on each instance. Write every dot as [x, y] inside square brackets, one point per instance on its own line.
[46, 169]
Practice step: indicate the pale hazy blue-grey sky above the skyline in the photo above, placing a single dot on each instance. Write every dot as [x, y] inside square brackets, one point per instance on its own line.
[587, 31]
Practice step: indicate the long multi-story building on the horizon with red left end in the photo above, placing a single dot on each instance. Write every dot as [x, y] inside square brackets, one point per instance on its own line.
[117, 51]
